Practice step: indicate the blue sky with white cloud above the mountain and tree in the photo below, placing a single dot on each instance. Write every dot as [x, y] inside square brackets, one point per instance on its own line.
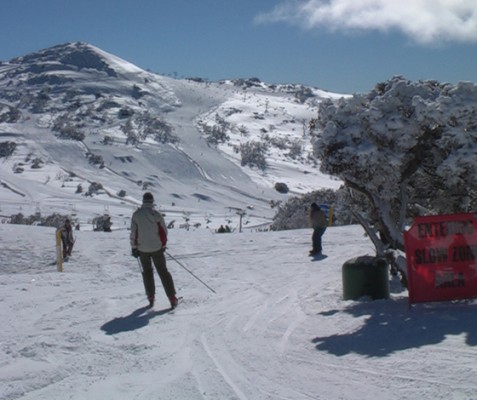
[343, 46]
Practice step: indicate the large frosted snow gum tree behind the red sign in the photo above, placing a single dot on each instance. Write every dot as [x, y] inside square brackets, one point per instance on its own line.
[404, 149]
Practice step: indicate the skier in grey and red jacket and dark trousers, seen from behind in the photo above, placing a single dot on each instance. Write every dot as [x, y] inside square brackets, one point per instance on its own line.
[148, 242]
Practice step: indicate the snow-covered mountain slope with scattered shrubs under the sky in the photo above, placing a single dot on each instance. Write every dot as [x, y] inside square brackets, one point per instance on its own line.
[81, 126]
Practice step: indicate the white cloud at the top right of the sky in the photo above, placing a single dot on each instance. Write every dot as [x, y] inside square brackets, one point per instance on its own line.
[424, 21]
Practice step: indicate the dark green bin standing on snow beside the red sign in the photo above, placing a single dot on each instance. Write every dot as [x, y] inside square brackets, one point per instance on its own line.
[365, 276]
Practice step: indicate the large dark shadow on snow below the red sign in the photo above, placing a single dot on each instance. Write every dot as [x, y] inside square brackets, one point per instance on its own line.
[392, 326]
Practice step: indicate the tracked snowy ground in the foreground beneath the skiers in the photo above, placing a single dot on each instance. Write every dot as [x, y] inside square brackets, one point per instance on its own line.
[276, 329]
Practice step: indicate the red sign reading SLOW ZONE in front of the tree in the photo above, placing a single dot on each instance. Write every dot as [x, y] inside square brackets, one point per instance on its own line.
[441, 255]
